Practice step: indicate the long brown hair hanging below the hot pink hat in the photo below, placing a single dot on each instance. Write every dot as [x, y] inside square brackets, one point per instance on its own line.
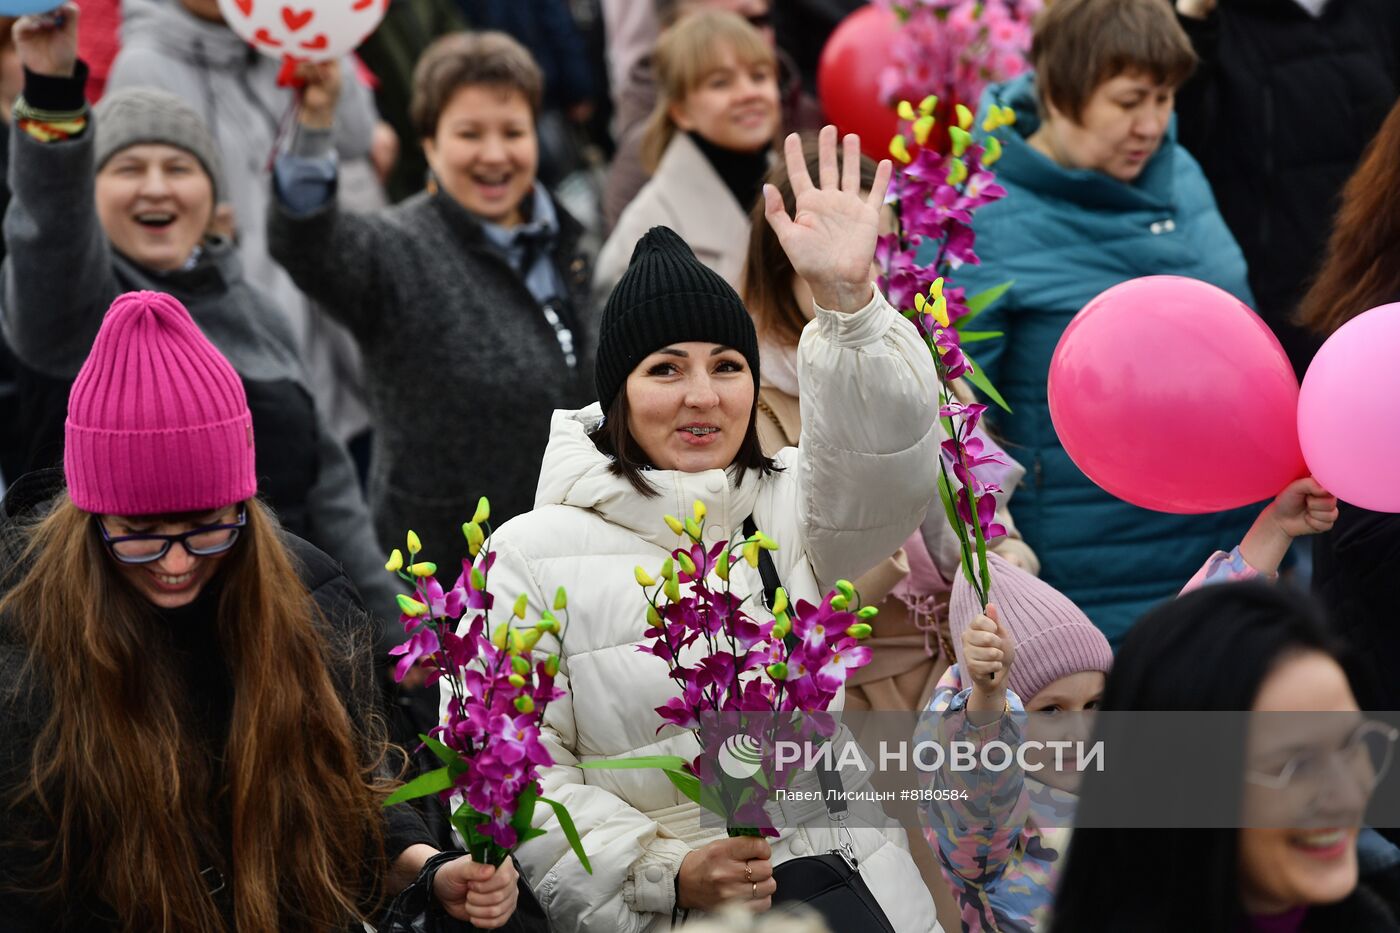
[115, 773]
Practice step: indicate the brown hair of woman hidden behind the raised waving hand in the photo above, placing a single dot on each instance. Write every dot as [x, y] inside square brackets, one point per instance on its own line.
[768, 272]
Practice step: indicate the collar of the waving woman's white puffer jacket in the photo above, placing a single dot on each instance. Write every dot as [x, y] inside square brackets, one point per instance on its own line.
[577, 474]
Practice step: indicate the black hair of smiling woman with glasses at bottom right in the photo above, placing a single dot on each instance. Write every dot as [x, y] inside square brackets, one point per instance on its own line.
[1209, 651]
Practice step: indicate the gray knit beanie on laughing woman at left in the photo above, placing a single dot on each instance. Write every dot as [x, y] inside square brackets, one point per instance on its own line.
[138, 116]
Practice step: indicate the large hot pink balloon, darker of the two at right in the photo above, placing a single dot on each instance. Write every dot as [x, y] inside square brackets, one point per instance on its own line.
[1171, 394]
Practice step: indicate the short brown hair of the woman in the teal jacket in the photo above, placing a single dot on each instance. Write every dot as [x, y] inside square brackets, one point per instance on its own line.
[1081, 44]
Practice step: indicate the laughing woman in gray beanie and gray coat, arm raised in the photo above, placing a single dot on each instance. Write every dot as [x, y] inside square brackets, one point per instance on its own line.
[124, 200]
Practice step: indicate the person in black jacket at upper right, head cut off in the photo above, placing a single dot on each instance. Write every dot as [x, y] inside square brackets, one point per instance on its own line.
[1286, 99]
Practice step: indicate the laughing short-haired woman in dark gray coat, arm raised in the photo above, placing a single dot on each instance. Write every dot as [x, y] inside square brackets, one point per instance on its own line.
[465, 300]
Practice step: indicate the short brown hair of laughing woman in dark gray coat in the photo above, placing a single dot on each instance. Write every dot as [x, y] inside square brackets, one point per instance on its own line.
[465, 60]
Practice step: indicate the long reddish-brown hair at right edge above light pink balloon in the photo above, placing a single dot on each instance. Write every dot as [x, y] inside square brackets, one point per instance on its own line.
[1363, 265]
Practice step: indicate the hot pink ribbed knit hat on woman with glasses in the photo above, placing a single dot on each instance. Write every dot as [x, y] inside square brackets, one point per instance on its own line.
[157, 417]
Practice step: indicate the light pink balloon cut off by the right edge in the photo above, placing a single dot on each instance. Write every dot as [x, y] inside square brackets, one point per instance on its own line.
[1349, 411]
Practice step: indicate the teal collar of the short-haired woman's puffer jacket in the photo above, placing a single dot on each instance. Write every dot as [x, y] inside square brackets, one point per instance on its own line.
[1027, 167]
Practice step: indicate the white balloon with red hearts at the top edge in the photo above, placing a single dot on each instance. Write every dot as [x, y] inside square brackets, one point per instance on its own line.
[304, 30]
